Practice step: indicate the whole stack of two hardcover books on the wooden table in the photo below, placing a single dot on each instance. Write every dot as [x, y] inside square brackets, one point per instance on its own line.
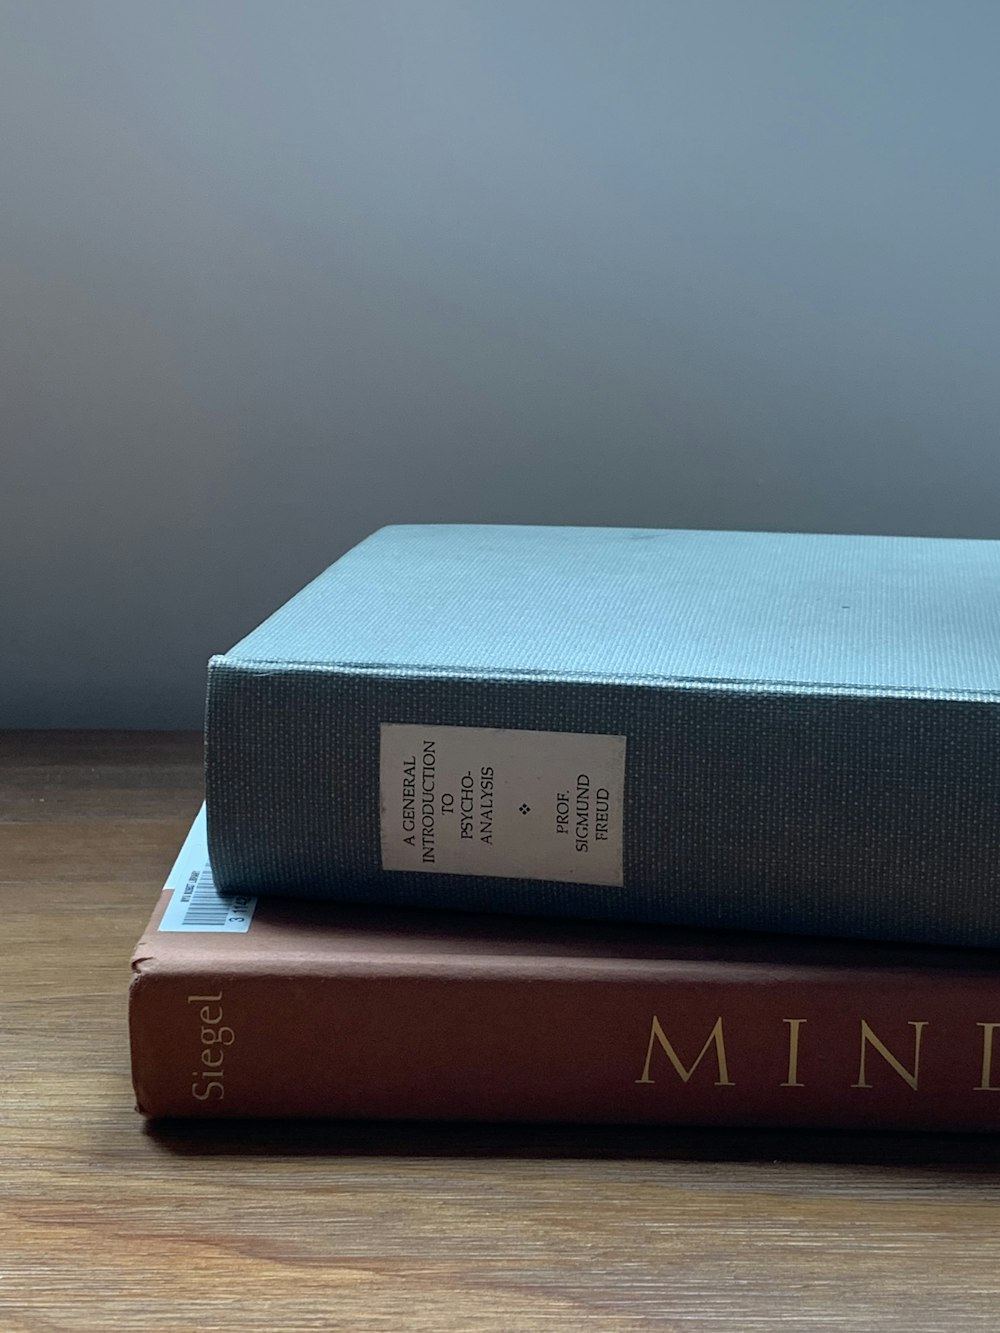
[598, 826]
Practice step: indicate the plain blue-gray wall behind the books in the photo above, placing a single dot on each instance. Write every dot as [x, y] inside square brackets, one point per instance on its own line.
[277, 274]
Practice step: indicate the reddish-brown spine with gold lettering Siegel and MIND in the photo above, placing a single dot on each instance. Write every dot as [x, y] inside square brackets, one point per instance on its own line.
[701, 1044]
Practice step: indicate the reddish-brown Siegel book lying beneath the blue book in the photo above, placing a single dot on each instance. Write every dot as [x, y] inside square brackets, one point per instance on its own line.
[287, 1008]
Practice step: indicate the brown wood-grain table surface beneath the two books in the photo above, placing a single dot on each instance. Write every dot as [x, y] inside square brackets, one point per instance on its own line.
[107, 1224]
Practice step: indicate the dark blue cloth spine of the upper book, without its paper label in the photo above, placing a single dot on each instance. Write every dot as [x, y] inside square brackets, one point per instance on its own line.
[819, 811]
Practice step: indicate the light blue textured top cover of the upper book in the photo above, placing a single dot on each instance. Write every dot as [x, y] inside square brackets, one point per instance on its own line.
[789, 611]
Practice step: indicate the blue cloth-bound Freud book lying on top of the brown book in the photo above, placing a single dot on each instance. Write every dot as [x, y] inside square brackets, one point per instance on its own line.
[787, 732]
